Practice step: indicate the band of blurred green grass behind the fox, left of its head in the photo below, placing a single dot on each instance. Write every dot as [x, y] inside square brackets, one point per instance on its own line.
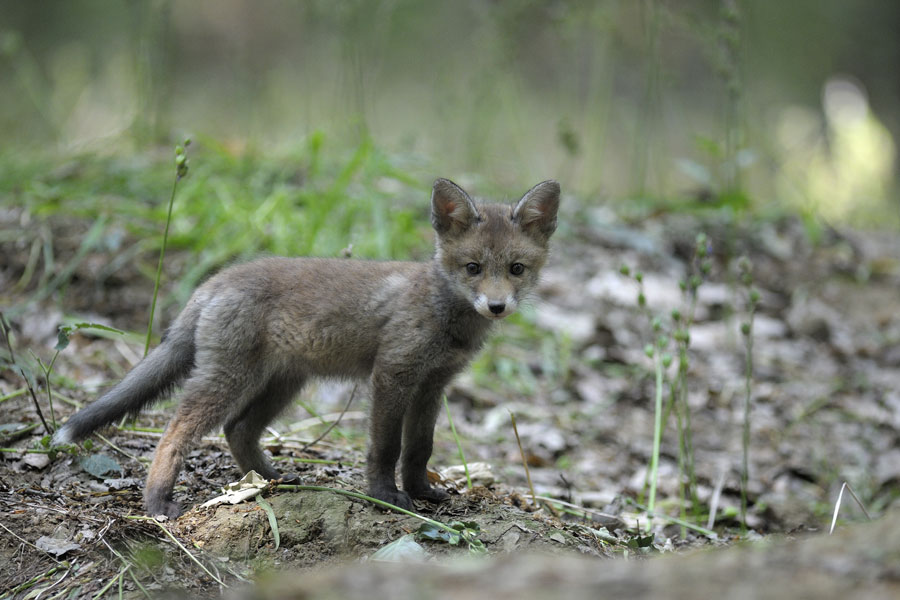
[234, 204]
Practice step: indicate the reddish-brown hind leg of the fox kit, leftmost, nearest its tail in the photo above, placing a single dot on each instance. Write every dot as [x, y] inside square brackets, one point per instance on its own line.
[208, 397]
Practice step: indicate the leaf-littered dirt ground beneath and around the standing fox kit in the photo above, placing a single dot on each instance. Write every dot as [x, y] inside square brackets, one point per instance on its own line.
[825, 410]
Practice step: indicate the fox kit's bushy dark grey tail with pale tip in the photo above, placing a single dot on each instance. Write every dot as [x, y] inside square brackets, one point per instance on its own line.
[161, 370]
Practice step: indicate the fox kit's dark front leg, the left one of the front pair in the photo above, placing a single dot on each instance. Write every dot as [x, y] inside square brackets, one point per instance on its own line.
[390, 398]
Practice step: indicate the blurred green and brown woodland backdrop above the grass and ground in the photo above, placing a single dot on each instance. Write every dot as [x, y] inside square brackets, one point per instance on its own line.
[760, 104]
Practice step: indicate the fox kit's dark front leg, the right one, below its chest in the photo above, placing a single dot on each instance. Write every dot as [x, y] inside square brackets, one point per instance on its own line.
[418, 439]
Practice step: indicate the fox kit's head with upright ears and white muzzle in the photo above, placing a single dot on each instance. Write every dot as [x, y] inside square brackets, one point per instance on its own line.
[492, 253]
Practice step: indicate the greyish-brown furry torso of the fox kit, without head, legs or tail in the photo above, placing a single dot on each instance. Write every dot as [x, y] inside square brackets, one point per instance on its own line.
[326, 317]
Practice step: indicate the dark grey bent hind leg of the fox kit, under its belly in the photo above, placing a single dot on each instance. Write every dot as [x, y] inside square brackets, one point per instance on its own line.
[244, 430]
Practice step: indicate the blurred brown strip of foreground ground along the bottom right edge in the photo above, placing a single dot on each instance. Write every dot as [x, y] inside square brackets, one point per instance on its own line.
[846, 565]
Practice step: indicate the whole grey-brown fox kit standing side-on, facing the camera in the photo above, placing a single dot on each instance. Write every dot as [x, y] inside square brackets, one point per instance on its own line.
[252, 335]
